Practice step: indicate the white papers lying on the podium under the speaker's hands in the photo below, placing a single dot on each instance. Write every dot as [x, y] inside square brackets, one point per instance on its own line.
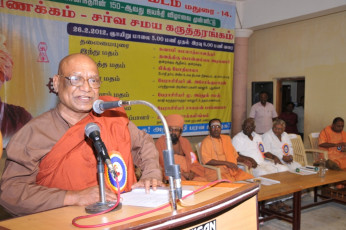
[138, 197]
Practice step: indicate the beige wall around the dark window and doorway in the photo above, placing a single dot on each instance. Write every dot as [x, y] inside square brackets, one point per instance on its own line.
[314, 48]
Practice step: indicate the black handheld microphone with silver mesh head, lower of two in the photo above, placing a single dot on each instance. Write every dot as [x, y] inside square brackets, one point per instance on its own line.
[92, 131]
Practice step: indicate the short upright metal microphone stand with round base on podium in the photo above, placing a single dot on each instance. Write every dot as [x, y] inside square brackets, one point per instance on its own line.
[103, 205]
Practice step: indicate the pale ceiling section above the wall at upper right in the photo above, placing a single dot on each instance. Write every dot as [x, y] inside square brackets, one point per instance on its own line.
[261, 14]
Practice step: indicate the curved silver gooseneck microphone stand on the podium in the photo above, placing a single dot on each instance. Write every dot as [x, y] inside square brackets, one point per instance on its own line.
[171, 169]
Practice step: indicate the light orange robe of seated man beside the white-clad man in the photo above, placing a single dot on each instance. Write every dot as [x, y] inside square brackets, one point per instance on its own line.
[223, 150]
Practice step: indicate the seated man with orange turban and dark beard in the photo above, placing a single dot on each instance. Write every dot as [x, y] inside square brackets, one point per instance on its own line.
[182, 152]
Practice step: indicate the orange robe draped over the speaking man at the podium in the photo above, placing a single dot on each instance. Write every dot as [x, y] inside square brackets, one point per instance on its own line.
[71, 163]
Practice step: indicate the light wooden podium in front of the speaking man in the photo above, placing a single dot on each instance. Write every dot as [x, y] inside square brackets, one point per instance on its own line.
[224, 206]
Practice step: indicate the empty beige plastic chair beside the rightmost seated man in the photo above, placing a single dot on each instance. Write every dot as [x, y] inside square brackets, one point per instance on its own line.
[299, 151]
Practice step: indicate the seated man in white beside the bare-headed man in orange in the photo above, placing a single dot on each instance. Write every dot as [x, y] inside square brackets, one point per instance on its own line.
[250, 144]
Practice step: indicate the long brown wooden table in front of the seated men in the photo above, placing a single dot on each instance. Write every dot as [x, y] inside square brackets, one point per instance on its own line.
[291, 183]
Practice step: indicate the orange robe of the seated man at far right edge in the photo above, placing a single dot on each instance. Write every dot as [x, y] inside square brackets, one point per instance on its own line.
[335, 154]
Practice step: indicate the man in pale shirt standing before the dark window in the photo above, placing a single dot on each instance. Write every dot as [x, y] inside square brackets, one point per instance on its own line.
[264, 113]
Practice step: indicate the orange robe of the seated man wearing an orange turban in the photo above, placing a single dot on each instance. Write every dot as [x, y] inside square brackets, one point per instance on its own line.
[201, 173]
